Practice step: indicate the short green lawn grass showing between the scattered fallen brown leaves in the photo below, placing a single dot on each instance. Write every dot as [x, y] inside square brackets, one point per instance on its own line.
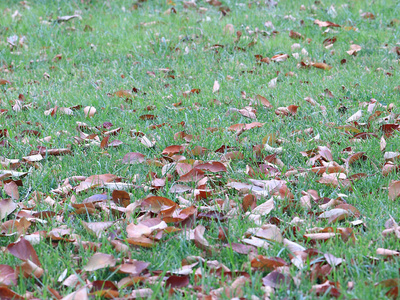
[116, 55]
